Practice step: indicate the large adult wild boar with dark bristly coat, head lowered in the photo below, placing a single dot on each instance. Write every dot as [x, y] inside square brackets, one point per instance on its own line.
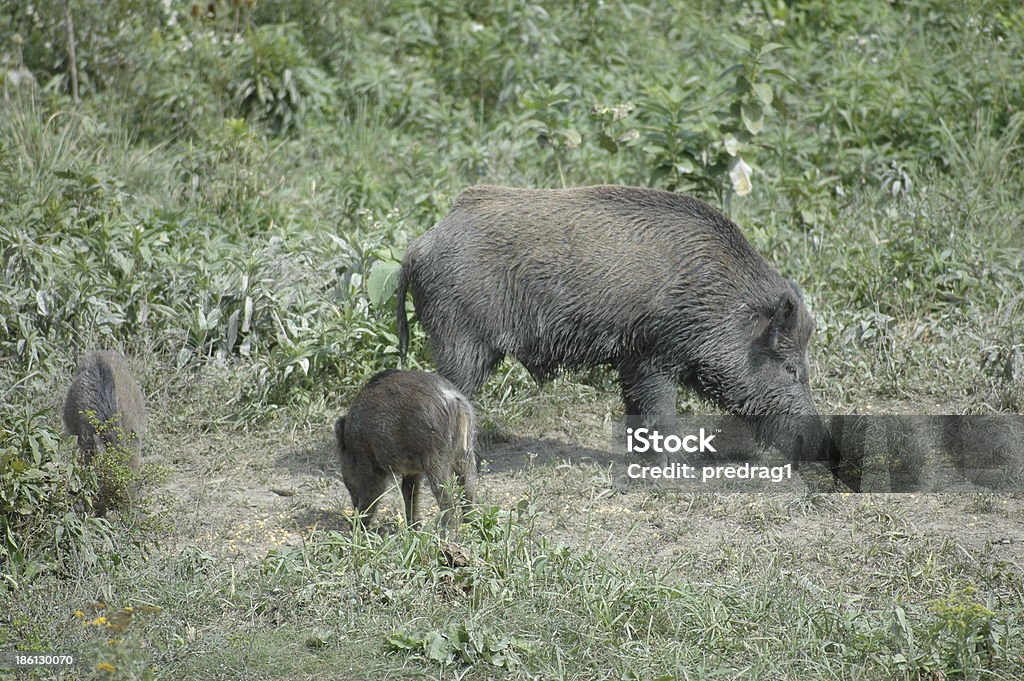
[660, 286]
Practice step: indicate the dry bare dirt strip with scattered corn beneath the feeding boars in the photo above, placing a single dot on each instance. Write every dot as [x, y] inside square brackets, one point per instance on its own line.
[238, 496]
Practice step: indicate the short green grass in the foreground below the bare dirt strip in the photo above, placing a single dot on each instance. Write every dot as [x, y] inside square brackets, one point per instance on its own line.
[518, 606]
